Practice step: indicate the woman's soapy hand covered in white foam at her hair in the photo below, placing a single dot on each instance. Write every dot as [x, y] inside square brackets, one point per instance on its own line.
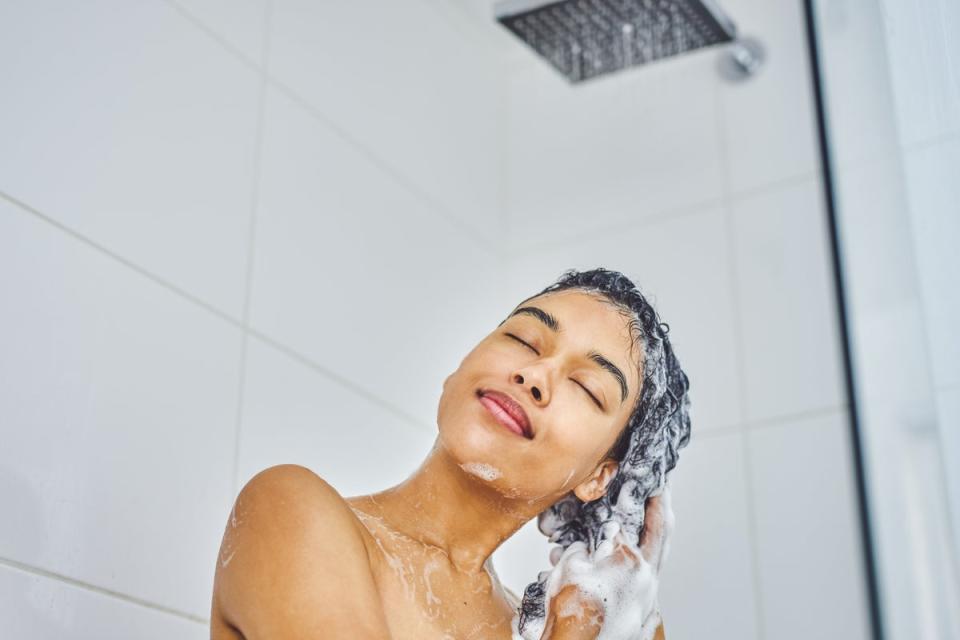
[578, 614]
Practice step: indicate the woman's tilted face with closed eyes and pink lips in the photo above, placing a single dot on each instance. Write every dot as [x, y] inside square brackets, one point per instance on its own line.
[577, 383]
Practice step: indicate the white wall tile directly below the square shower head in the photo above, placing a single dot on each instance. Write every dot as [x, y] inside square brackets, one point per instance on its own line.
[586, 157]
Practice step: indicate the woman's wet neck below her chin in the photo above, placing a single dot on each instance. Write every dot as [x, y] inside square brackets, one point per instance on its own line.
[443, 506]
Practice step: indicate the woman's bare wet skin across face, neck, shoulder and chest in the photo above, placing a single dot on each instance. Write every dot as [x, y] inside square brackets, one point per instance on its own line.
[298, 560]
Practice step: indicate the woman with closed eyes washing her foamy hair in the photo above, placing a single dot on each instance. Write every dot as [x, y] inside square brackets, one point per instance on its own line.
[545, 416]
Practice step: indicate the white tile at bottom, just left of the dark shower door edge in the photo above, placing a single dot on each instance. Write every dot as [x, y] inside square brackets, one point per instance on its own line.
[808, 537]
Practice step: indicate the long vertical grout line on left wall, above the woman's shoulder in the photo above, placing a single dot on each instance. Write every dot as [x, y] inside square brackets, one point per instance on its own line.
[251, 240]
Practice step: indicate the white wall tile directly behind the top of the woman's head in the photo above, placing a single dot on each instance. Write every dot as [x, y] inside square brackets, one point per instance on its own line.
[682, 264]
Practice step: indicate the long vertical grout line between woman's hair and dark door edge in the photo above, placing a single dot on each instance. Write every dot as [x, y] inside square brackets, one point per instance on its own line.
[732, 271]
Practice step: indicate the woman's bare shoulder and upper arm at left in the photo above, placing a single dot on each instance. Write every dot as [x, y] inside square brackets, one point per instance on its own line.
[293, 563]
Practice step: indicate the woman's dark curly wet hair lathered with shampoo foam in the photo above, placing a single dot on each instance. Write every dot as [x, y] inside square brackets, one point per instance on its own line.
[647, 447]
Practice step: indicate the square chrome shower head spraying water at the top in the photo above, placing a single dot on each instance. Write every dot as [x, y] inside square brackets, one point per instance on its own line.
[584, 39]
